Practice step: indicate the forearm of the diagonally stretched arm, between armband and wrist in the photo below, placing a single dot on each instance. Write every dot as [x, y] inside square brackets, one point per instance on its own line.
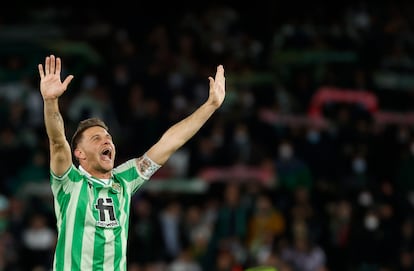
[178, 134]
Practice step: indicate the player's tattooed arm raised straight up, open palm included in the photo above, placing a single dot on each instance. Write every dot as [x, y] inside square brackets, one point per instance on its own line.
[51, 88]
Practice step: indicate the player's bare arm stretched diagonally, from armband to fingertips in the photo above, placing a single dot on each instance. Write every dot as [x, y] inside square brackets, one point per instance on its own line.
[178, 134]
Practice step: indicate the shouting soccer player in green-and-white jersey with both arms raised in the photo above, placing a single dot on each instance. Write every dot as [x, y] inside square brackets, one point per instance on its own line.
[92, 201]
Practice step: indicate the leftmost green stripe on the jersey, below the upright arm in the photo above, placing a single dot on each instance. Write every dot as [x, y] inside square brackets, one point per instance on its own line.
[60, 247]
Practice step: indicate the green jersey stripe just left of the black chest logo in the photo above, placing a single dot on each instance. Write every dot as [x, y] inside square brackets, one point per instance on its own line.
[79, 225]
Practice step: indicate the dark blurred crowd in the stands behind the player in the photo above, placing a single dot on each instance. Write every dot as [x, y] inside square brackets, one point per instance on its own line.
[293, 192]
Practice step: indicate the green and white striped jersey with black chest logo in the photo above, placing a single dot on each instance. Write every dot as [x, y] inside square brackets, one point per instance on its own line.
[92, 218]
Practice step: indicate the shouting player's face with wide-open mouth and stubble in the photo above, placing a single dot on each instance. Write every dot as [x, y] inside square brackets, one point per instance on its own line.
[98, 149]
